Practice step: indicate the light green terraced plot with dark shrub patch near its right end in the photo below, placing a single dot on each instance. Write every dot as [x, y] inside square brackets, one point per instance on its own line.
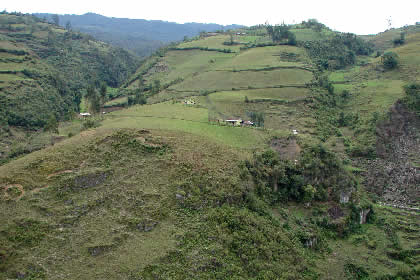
[264, 57]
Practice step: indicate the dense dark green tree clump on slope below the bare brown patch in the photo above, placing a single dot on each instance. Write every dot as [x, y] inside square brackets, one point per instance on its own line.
[317, 172]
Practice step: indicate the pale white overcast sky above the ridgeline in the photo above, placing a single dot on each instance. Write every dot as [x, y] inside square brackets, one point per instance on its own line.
[355, 16]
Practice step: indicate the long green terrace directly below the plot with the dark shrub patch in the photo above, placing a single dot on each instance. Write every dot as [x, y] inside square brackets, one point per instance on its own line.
[221, 80]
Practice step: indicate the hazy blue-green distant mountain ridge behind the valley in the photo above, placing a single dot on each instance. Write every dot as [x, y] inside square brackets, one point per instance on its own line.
[139, 35]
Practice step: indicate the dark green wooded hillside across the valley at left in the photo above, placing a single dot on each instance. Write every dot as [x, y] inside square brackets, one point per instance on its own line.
[44, 72]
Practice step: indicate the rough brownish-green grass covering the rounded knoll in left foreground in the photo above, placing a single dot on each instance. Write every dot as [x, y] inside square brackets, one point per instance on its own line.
[104, 216]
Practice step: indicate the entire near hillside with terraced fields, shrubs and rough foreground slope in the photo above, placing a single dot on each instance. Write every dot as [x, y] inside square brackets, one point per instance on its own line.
[324, 185]
